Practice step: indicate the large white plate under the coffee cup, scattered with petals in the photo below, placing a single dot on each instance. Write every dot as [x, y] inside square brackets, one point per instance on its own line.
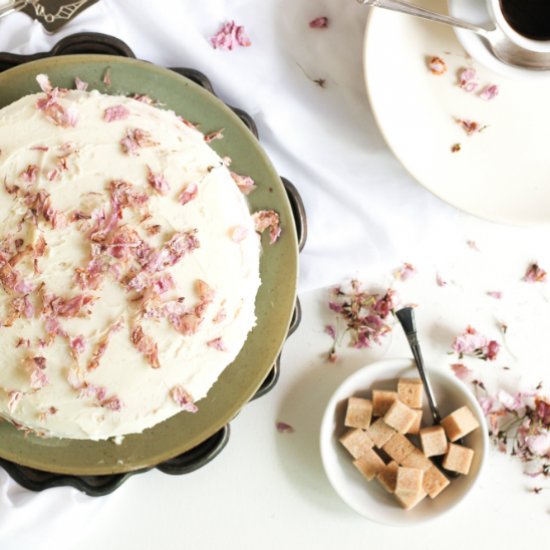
[502, 173]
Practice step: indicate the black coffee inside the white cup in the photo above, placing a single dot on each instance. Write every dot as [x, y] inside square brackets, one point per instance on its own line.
[530, 18]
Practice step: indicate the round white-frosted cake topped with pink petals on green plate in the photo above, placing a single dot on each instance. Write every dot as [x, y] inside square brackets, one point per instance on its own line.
[129, 264]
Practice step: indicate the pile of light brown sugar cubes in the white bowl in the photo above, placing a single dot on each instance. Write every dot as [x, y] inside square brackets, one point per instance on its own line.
[382, 450]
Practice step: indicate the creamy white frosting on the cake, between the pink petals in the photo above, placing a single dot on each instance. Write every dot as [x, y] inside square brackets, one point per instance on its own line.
[230, 268]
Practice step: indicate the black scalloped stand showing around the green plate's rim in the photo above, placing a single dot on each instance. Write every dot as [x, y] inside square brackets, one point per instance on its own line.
[37, 480]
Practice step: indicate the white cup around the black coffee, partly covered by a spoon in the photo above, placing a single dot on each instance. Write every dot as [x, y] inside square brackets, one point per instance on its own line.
[476, 11]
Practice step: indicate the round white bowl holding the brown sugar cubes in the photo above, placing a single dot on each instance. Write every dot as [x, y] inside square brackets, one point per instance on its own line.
[369, 498]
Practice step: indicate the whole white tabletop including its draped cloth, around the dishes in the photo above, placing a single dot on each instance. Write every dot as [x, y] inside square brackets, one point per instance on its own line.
[366, 216]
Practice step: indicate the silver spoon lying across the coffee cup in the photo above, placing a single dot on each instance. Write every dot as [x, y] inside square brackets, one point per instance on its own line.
[502, 47]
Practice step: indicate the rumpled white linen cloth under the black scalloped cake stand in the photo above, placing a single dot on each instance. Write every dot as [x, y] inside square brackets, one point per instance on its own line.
[364, 211]
